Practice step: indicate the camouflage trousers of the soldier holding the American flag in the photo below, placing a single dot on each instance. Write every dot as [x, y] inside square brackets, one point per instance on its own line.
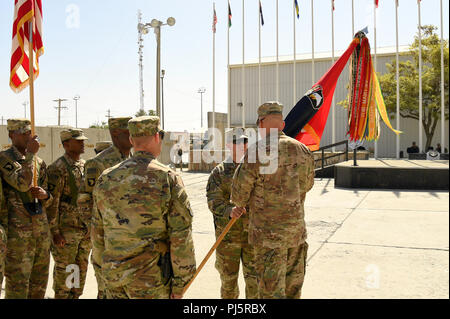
[27, 264]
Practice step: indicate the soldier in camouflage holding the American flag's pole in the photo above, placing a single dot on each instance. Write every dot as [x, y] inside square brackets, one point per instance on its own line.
[28, 246]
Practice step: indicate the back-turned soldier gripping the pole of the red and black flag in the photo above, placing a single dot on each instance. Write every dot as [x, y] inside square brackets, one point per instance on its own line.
[276, 198]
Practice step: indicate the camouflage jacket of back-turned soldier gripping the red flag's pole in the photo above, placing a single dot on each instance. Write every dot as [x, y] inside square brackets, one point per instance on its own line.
[276, 200]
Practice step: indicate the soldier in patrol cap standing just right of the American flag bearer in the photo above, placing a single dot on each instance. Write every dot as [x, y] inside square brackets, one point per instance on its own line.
[69, 227]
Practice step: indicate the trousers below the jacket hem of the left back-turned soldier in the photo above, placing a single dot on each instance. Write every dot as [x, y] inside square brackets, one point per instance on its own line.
[138, 289]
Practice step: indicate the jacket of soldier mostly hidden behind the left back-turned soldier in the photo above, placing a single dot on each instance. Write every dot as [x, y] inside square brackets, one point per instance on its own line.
[92, 170]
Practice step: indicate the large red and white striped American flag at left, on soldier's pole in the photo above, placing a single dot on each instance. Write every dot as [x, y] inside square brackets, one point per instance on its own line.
[24, 11]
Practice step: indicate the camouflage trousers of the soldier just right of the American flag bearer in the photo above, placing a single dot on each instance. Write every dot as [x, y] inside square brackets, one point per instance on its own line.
[71, 263]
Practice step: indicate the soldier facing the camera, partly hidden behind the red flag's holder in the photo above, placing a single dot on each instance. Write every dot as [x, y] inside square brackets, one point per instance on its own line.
[234, 248]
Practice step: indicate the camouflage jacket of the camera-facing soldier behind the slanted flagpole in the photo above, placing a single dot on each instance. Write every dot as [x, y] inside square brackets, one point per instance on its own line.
[218, 192]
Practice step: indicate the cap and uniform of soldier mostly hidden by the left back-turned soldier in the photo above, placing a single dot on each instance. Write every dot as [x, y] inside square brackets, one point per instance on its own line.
[93, 168]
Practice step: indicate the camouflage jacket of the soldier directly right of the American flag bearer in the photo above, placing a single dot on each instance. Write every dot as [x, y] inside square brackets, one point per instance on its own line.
[64, 214]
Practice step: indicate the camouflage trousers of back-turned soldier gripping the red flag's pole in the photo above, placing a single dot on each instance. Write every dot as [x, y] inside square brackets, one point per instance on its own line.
[280, 271]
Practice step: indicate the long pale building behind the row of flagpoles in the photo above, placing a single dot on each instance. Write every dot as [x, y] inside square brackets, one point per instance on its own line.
[323, 61]
